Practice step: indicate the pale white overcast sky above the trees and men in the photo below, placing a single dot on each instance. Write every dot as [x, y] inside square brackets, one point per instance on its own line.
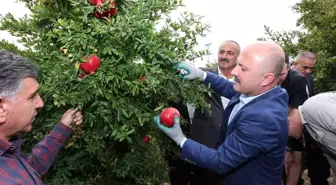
[239, 20]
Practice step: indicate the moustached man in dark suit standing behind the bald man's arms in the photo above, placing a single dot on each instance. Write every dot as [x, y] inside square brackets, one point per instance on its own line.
[205, 126]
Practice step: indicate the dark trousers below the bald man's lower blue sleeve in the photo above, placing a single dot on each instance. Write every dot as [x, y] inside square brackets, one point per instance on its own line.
[183, 173]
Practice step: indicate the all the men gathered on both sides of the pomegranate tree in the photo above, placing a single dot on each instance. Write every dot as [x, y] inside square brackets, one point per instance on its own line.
[264, 127]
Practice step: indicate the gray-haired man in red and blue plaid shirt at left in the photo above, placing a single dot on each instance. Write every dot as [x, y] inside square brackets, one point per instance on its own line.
[19, 102]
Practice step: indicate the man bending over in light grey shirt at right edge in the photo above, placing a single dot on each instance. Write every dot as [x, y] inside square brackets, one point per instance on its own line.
[317, 116]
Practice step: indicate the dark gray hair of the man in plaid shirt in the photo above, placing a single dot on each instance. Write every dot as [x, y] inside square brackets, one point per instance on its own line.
[13, 69]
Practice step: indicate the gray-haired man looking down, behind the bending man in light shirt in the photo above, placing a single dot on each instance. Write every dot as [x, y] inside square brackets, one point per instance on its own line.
[317, 163]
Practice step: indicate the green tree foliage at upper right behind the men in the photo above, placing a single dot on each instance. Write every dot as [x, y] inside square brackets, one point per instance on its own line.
[317, 34]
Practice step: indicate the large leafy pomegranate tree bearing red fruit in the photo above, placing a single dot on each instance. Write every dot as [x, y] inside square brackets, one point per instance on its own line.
[113, 60]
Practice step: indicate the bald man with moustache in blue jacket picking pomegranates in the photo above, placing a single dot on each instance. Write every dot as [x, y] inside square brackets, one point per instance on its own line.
[255, 127]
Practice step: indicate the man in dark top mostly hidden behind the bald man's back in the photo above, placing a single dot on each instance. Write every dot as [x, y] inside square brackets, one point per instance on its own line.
[295, 85]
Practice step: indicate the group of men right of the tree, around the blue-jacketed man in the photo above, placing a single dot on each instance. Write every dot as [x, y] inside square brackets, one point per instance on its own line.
[266, 124]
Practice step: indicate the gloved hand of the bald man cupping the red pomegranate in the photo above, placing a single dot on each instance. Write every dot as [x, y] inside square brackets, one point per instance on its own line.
[175, 132]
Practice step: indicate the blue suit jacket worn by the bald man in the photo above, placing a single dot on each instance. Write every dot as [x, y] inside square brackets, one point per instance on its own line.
[253, 149]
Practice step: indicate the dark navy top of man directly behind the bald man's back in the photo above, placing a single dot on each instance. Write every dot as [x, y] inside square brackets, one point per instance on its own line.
[295, 85]
